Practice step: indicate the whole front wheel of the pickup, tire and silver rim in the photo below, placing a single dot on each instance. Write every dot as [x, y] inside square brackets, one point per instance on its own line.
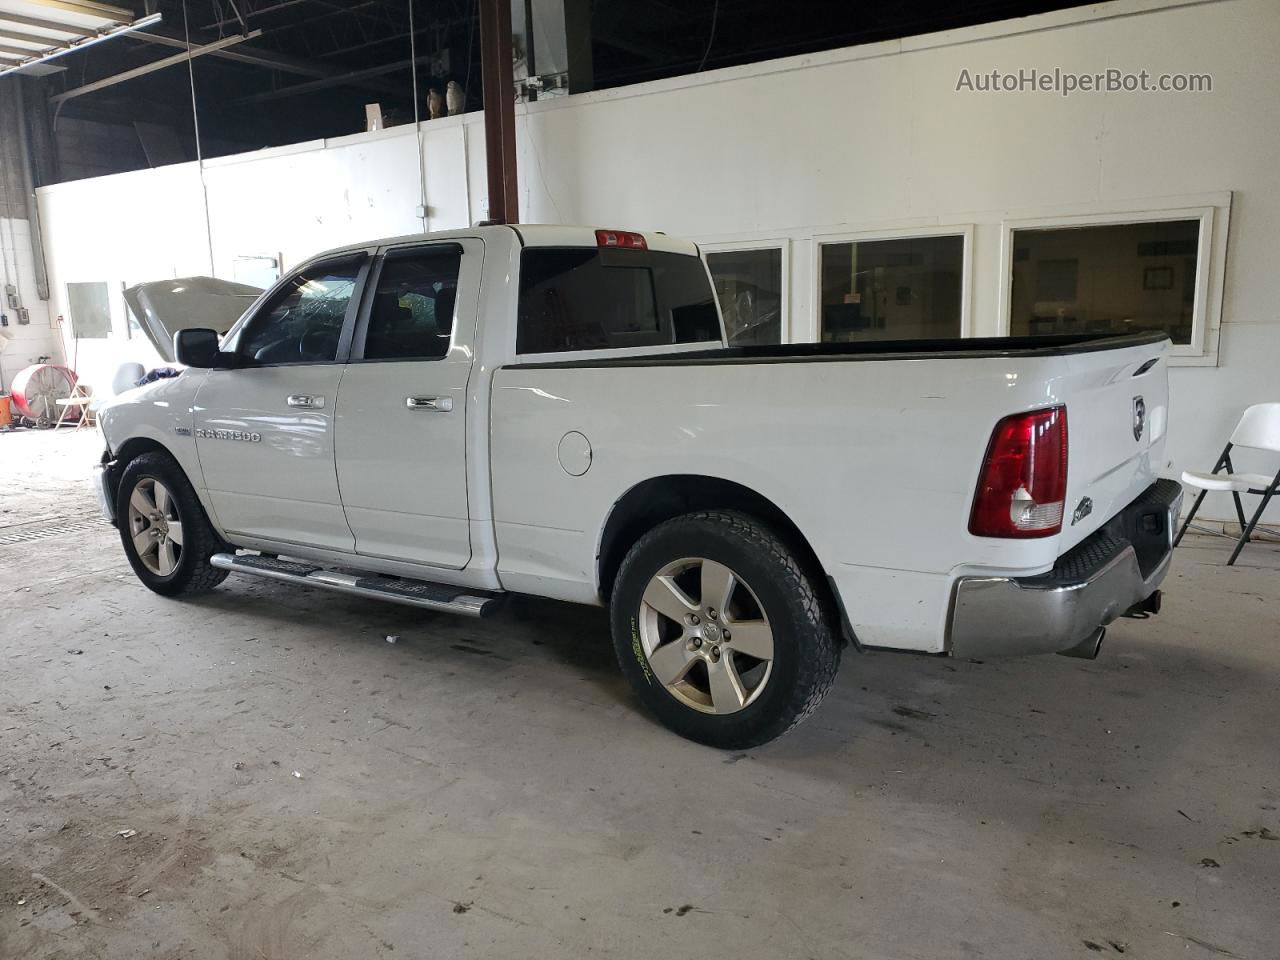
[166, 533]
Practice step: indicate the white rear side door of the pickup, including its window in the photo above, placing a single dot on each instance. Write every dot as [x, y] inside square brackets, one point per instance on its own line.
[403, 412]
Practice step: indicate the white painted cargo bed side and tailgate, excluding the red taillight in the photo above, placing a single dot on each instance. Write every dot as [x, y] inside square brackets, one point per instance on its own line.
[876, 464]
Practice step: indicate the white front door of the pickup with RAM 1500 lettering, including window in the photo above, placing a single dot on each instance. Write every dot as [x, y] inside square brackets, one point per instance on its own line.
[264, 427]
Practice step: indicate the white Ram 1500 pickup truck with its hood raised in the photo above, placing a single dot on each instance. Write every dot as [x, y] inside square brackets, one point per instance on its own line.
[445, 419]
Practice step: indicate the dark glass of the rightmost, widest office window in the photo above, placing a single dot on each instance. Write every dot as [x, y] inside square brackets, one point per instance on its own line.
[1107, 278]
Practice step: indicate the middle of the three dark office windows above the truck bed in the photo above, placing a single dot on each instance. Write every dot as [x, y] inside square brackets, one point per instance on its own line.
[892, 290]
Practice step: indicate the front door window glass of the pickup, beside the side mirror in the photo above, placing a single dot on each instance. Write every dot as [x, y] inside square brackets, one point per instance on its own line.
[303, 323]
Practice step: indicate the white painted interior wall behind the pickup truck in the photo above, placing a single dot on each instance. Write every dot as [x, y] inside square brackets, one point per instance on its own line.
[863, 140]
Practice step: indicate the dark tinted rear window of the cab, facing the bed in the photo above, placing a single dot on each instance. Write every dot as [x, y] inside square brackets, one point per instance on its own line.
[588, 299]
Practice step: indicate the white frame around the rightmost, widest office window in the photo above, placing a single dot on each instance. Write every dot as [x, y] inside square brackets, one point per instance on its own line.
[1213, 212]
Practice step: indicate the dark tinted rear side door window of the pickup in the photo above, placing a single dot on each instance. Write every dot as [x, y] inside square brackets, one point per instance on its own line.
[412, 317]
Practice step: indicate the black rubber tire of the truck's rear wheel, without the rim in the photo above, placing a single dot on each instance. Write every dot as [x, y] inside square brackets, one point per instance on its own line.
[807, 651]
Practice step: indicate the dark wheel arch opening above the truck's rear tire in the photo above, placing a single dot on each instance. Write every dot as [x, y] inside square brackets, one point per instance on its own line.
[662, 499]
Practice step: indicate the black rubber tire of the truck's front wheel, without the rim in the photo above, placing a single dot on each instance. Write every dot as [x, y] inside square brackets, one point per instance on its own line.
[194, 573]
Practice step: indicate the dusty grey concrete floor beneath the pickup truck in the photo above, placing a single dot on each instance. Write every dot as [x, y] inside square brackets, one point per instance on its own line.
[303, 789]
